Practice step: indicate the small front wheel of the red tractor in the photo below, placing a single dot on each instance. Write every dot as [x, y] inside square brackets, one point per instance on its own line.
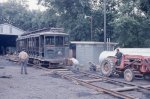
[128, 75]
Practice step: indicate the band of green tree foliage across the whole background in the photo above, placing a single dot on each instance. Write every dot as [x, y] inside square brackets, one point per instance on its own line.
[127, 20]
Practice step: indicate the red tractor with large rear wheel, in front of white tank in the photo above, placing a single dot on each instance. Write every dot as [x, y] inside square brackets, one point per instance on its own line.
[130, 66]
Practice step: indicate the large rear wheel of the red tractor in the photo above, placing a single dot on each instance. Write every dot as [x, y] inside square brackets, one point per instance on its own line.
[107, 67]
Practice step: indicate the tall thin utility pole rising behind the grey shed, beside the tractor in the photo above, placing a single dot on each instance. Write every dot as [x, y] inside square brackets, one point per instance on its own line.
[104, 24]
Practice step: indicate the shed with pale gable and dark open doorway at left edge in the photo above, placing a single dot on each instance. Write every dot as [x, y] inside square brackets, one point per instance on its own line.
[8, 36]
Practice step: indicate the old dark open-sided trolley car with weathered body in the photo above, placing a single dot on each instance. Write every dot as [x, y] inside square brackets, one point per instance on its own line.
[47, 47]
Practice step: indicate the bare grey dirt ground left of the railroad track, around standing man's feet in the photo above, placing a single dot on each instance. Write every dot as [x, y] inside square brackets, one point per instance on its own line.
[37, 85]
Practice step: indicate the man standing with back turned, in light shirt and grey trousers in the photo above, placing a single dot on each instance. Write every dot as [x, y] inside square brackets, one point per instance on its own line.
[23, 58]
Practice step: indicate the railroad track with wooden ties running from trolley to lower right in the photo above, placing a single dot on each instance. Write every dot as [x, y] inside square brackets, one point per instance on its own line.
[79, 78]
